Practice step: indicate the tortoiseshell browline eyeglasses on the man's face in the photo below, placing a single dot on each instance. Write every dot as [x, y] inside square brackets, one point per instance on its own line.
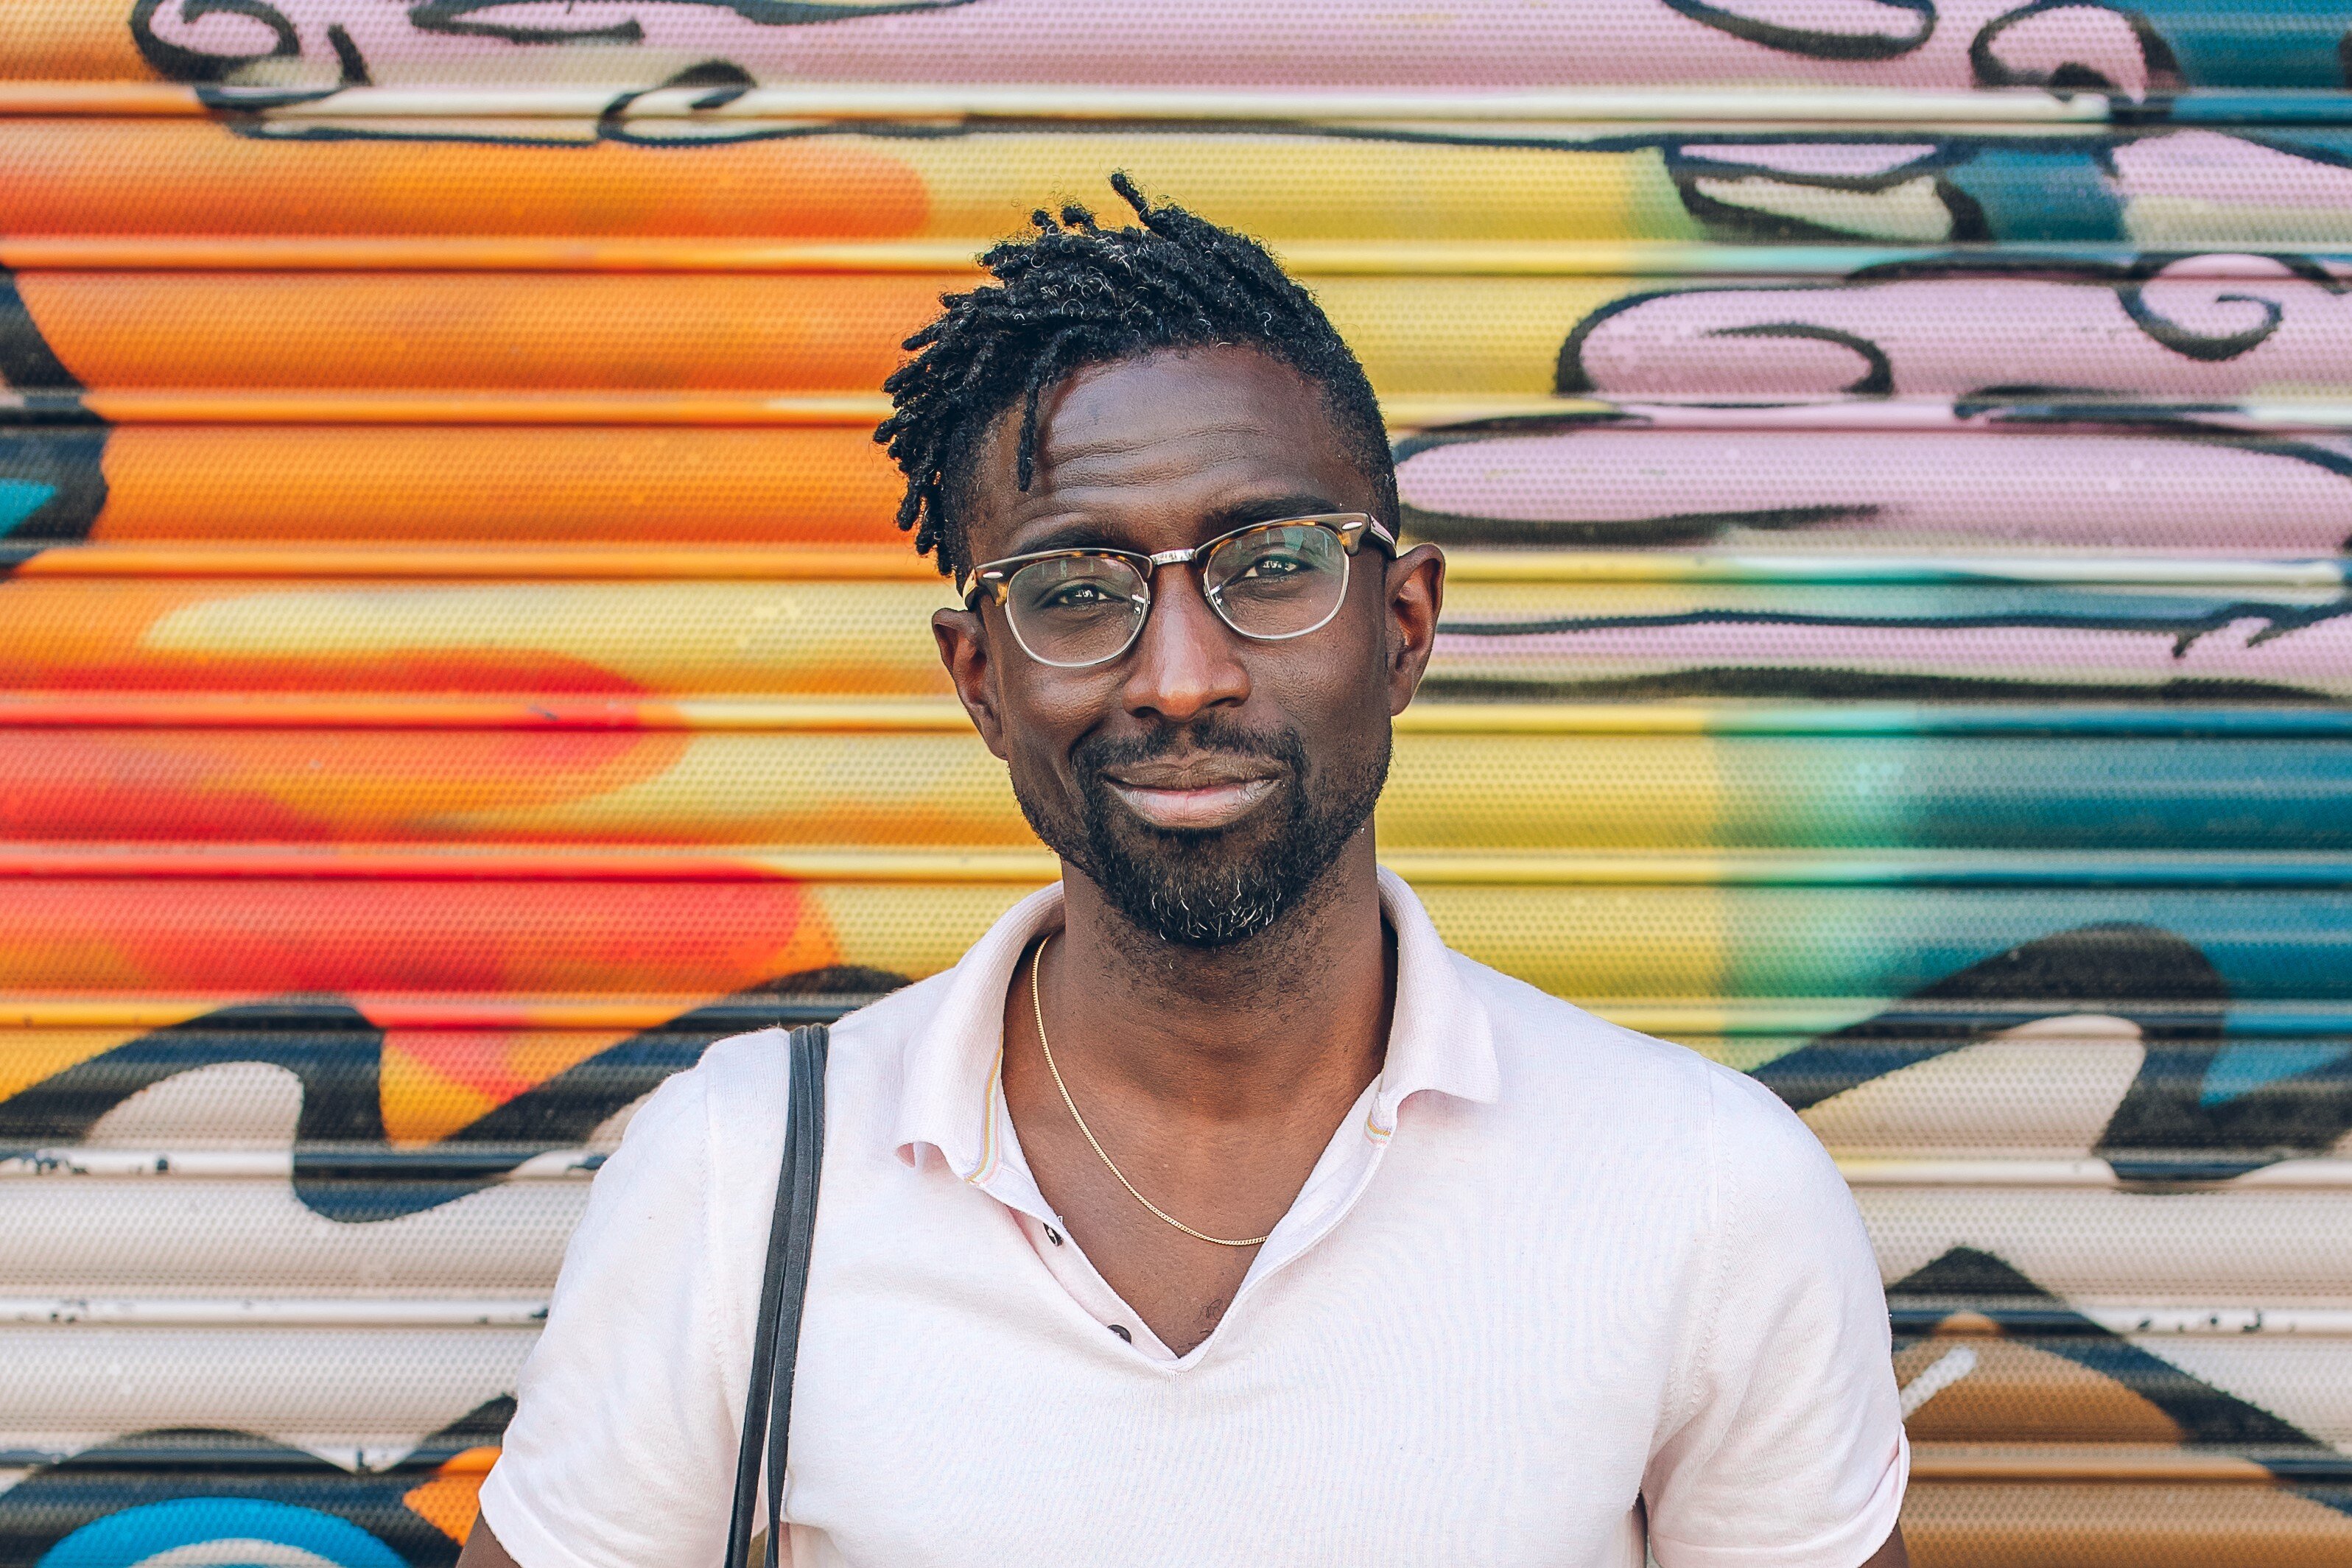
[1269, 582]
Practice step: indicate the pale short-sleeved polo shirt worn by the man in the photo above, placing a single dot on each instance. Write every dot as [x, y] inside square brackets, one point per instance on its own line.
[1553, 1289]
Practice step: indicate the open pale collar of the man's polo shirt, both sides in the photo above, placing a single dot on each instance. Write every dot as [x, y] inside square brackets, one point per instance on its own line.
[1441, 1038]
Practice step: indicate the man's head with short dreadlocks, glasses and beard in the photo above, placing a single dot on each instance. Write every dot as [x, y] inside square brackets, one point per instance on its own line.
[1151, 391]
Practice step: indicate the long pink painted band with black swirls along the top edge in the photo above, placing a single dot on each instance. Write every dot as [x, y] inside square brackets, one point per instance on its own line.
[1149, 43]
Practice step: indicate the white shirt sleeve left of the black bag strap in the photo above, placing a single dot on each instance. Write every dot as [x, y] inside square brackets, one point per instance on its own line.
[629, 1409]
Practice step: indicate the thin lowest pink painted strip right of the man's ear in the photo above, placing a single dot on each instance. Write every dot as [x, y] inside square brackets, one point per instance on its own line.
[2316, 659]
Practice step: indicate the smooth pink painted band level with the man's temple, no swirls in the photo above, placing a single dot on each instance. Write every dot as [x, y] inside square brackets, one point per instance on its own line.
[1920, 490]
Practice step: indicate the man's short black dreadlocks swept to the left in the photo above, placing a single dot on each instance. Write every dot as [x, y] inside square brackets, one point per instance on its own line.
[1078, 295]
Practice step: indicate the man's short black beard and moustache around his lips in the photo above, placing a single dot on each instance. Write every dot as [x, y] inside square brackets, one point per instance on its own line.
[1222, 885]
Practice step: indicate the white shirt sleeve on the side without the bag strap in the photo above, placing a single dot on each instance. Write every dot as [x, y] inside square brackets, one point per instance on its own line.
[1791, 1442]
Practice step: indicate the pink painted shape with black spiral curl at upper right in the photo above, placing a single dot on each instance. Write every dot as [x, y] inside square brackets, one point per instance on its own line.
[1958, 335]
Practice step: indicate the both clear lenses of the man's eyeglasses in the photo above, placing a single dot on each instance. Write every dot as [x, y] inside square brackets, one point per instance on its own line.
[1276, 582]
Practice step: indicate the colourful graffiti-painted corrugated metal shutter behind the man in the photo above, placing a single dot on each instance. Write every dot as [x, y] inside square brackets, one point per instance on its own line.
[455, 662]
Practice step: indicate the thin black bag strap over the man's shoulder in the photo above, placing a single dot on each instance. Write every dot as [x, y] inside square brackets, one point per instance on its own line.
[775, 1348]
